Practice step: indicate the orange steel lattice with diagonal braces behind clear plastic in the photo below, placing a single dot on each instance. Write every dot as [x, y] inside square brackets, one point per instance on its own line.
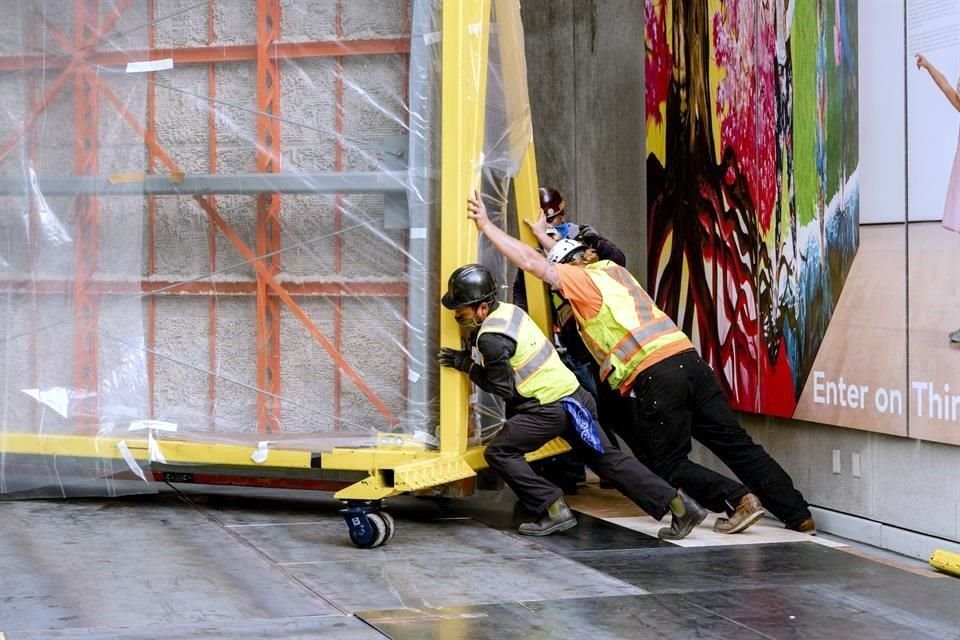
[77, 65]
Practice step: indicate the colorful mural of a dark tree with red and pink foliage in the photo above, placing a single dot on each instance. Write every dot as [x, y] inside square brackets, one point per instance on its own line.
[752, 160]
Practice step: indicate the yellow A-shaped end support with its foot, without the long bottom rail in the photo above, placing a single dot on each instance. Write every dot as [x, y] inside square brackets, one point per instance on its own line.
[466, 28]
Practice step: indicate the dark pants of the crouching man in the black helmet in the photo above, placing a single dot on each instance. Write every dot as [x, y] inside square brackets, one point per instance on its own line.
[531, 429]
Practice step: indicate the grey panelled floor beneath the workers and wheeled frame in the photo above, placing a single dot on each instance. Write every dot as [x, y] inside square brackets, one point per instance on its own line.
[222, 563]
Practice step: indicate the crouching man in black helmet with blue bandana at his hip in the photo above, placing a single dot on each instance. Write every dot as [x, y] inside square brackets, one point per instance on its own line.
[544, 401]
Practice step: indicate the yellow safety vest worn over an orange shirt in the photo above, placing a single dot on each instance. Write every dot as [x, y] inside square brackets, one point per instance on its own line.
[629, 327]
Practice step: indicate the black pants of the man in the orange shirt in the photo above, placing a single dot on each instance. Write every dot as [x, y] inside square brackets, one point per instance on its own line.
[680, 398]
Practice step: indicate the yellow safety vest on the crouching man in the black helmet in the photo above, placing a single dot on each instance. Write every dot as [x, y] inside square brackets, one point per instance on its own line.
[537, 370]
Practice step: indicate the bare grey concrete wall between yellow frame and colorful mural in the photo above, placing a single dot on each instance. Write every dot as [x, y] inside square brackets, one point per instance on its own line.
[585, 60]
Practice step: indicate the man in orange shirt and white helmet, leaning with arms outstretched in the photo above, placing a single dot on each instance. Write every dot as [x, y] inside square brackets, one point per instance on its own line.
[669, 392]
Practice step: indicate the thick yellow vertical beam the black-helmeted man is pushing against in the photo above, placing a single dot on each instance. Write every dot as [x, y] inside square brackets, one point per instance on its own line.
[466, 29]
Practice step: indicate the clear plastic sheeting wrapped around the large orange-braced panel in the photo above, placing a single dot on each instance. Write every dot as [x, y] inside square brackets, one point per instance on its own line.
[220, 223]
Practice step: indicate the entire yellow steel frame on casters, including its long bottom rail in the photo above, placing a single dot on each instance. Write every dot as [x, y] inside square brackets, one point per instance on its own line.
[393, 470]
